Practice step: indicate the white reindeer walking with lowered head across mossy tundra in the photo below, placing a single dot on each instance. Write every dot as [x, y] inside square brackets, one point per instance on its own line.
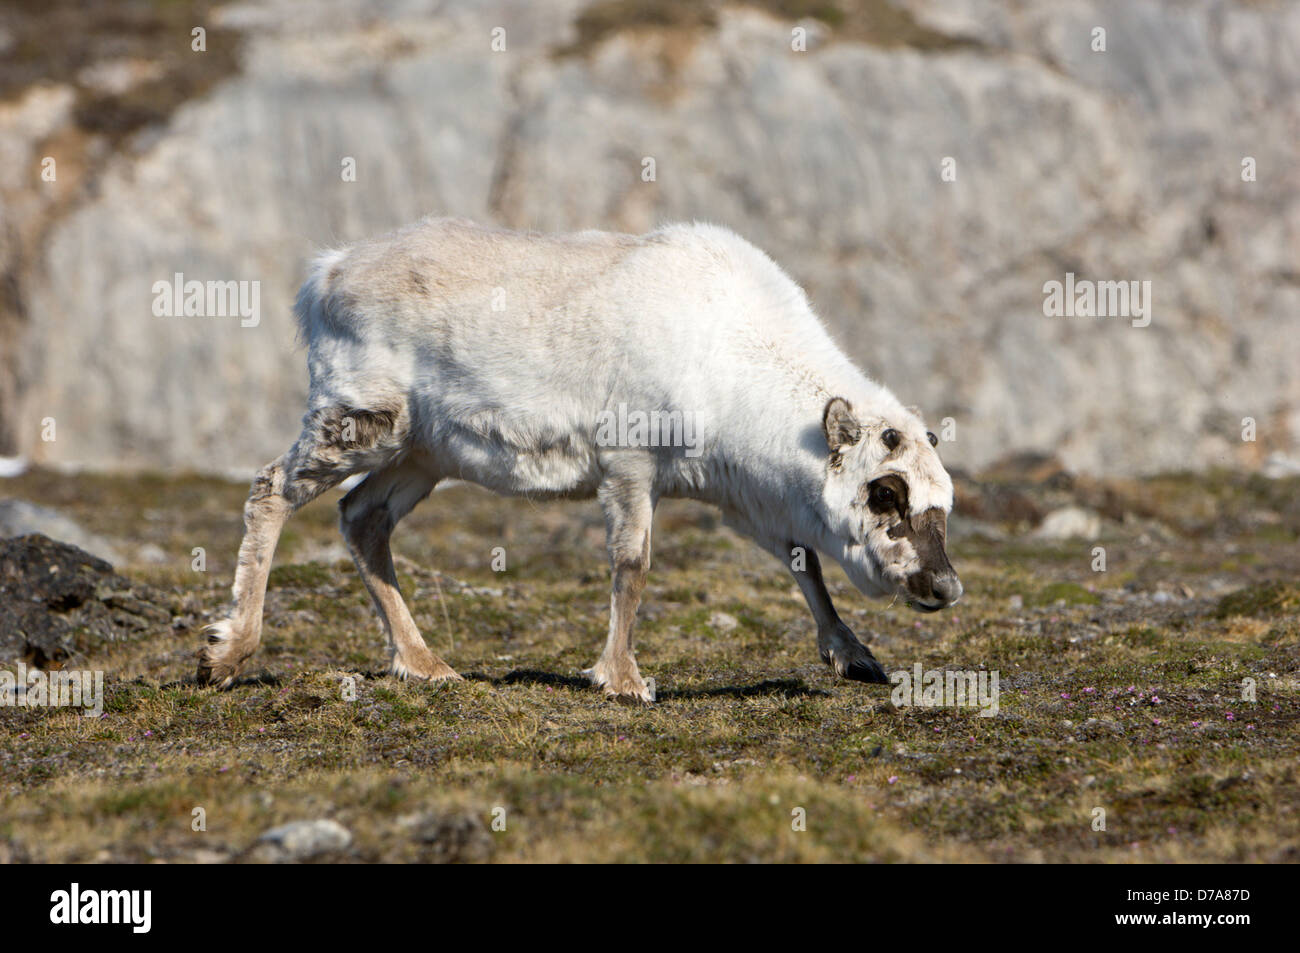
[448, 350]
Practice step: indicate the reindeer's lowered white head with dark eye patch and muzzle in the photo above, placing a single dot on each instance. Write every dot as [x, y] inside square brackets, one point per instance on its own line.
[887, 500]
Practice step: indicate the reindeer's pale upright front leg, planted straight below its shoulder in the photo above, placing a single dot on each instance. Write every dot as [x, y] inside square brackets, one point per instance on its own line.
[629, 503]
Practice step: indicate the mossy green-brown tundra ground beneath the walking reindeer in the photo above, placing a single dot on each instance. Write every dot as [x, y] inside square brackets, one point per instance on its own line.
[1121, 691]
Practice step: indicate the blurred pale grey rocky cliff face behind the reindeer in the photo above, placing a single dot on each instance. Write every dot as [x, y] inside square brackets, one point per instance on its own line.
[1117, 166]
